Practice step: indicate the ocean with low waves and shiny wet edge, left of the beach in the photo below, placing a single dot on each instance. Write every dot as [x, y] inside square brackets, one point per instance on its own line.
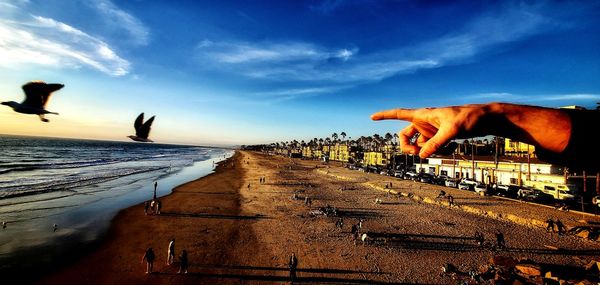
[80, 185]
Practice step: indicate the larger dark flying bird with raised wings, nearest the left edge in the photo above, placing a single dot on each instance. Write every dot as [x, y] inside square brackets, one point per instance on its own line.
[37, 94]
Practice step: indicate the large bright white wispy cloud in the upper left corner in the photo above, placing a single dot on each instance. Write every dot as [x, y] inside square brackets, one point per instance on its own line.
[32, 39]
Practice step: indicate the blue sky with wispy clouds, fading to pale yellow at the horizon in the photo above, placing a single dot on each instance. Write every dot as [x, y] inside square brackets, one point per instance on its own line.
[248, 72]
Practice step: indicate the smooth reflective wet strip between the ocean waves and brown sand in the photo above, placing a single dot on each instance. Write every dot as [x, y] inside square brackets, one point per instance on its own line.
[83, 229]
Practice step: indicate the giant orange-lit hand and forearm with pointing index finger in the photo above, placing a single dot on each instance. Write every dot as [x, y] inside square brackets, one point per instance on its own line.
[547, 128]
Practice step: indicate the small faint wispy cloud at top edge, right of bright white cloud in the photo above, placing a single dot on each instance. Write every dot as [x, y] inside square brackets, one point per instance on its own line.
[119, 19]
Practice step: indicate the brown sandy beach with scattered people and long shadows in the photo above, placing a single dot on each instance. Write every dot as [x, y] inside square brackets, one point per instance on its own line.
[238, 230]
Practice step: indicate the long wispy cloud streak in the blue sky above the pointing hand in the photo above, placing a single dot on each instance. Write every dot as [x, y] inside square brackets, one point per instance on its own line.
[301, 61]
